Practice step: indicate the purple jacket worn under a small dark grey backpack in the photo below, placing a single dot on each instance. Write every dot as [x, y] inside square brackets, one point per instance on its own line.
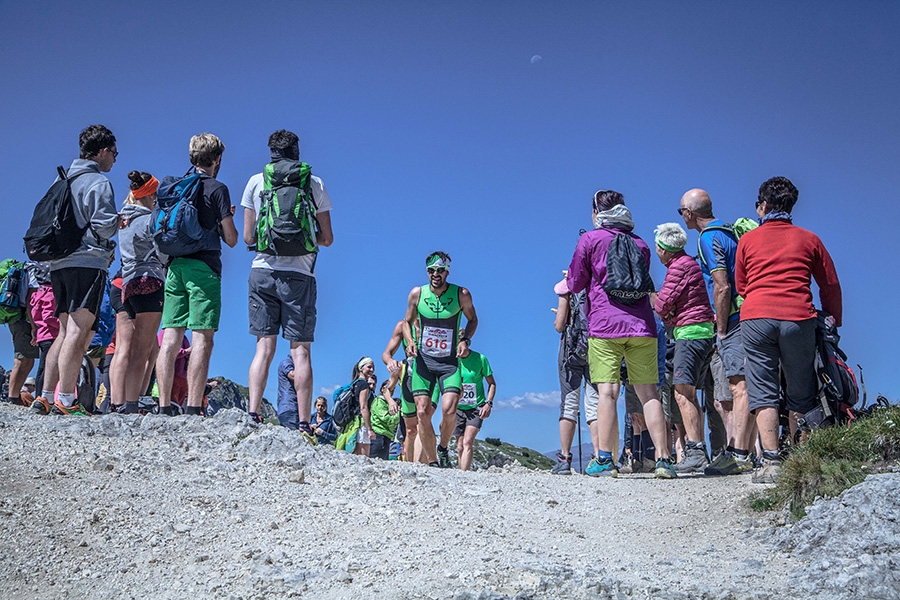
[607, 319]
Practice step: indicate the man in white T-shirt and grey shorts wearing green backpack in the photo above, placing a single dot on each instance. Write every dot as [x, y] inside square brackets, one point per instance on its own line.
[287, 217]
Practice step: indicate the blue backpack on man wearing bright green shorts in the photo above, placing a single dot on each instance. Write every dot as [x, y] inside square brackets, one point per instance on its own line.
[176, 225]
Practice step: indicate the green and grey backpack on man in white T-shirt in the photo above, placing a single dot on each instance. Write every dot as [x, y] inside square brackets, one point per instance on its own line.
[287, 224]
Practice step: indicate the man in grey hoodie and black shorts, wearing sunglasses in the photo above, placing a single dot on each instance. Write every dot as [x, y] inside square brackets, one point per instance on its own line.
[79, 279]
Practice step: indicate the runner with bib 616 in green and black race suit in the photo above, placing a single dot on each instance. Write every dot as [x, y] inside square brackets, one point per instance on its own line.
[435, 312]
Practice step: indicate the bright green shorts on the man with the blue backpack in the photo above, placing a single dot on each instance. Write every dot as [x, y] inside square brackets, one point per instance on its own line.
[193, 296]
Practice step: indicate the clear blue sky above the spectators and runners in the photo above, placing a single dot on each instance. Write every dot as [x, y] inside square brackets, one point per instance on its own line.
[433, 129]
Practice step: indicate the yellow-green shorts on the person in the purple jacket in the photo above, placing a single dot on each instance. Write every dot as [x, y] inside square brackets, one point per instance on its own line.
[605, 359]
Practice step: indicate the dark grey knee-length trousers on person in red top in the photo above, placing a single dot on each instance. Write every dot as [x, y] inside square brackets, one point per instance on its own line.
[770, 343]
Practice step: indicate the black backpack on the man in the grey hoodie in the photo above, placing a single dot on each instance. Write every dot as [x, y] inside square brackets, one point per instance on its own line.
[54, 233]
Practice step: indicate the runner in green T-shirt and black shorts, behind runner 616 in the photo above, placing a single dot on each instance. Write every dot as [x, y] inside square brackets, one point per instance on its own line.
[474, 406]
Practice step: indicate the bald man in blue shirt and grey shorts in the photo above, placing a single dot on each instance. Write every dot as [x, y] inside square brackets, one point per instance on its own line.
[718, 248]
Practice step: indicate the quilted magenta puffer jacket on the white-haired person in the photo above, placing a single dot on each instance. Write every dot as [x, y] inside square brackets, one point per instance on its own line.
[683, 299]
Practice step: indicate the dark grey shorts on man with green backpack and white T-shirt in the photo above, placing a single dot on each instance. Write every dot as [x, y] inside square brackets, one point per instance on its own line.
[282, 300]
